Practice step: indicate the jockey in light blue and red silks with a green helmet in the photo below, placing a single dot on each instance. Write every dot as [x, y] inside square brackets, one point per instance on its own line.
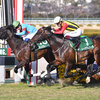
[26, 31]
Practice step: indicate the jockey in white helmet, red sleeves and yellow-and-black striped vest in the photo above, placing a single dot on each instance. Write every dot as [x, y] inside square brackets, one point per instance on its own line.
[70, 30]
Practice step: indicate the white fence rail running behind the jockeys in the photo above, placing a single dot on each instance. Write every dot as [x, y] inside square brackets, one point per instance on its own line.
[50, 21]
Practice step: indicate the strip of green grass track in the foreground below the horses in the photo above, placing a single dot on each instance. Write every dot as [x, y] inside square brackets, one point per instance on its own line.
[56, 92]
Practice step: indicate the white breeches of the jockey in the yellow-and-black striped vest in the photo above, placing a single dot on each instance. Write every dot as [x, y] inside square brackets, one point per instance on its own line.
[75, 33]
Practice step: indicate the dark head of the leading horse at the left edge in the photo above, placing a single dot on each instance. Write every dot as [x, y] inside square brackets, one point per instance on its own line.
[7, 32]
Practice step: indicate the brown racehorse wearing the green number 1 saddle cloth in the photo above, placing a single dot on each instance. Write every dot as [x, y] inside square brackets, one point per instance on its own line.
[65, 54]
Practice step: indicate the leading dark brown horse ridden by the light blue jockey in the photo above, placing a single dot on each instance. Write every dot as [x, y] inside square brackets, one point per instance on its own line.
[22, 49]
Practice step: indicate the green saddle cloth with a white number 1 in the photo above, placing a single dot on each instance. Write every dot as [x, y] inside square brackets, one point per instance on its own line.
[85, 44]
